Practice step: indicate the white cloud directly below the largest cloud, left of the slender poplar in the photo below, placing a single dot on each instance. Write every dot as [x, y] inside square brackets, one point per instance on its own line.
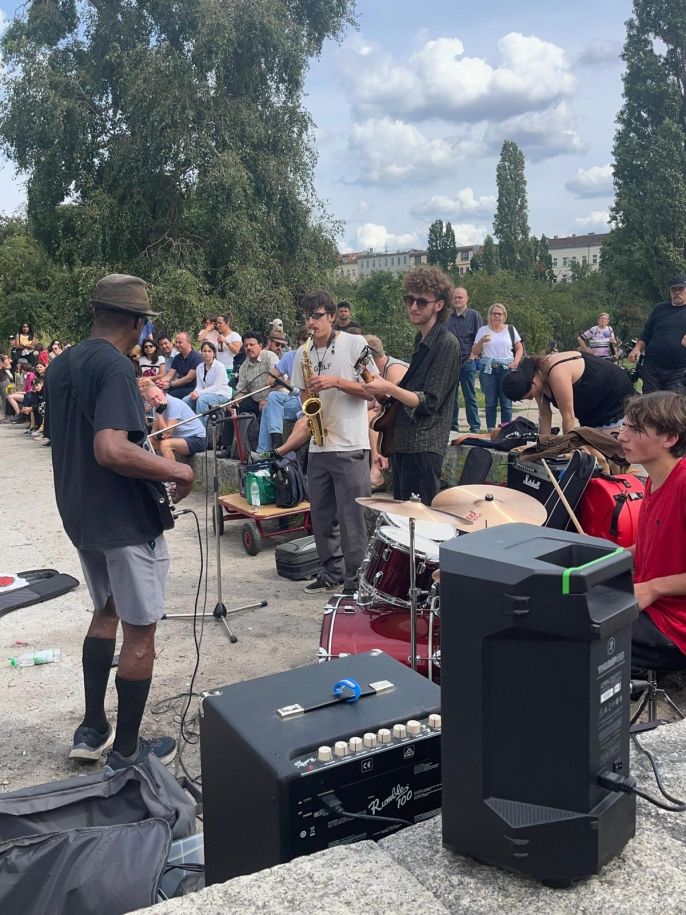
[391, 152]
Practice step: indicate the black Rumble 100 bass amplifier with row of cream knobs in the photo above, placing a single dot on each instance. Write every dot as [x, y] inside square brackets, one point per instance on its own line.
[289, 767]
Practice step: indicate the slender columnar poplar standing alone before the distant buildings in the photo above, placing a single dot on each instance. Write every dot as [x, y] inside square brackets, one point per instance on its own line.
[511, 221]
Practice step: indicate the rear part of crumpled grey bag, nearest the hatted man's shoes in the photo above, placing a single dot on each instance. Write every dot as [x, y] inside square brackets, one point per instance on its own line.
[128, 796]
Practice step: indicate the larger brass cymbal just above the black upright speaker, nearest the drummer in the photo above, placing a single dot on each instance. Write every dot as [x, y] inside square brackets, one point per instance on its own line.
[478, 506]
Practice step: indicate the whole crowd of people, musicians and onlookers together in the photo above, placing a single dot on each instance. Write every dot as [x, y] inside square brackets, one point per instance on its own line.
[94, 414]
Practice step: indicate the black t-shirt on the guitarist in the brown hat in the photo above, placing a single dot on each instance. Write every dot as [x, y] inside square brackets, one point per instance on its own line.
[99, 508]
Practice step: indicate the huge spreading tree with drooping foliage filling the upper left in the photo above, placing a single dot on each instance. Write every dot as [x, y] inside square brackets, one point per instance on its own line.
[161, 136]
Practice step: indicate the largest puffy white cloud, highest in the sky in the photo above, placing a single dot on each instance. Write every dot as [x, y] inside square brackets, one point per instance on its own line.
[439, 81]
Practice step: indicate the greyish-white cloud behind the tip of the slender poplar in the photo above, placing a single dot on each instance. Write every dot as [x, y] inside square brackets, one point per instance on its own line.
[540, 134]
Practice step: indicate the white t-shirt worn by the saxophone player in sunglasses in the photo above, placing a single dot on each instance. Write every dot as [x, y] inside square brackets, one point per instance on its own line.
[344, 417]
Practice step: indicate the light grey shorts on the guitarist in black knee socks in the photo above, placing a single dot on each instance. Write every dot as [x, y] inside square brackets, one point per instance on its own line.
[134, 576]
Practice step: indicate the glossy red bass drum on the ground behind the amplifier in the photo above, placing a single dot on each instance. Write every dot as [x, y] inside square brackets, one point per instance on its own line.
[348, 628]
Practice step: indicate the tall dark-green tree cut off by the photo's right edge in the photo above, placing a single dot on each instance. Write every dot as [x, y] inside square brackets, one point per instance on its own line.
[647, 242]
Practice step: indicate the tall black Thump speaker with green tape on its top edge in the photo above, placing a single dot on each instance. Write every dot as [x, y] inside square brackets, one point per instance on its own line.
[536, 656]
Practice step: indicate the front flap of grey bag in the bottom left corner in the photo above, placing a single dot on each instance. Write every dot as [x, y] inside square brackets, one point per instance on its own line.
[96, 870]
